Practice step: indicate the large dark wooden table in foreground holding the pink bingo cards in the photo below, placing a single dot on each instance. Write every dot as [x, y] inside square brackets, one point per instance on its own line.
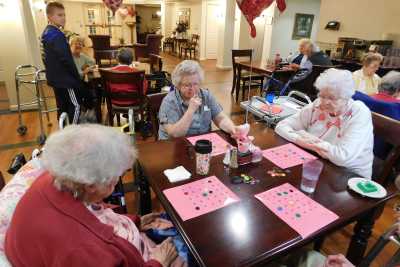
[220, 239]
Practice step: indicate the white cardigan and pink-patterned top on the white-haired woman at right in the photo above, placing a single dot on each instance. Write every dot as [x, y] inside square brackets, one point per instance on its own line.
[348, 139]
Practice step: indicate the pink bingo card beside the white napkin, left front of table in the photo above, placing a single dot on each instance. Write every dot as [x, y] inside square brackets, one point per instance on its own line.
[200, 197]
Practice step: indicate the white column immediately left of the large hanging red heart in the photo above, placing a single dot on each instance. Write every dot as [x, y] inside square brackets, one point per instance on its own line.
[226, 27]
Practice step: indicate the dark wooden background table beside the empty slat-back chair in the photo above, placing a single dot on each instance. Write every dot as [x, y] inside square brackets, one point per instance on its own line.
[259, 67]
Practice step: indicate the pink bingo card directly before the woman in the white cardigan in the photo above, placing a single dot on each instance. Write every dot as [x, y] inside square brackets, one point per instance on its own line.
[287, 156]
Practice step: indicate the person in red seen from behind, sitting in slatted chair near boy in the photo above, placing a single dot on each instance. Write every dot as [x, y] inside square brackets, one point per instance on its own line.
[125, 59]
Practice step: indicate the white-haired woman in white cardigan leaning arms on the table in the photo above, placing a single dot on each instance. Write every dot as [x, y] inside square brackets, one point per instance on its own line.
[334, 125]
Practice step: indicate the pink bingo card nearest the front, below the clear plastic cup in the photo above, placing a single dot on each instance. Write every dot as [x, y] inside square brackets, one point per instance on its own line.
[300, 212]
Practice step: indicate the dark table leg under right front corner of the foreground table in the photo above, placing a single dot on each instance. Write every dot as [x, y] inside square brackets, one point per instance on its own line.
[362, 232]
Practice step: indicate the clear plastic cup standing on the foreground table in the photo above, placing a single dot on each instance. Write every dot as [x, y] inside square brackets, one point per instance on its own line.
[311, 171]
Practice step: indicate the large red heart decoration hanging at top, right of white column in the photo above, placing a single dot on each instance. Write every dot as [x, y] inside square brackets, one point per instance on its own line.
[251, 9]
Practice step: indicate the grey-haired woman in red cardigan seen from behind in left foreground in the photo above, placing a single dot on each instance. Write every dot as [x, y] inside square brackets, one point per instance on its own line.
[60, 221]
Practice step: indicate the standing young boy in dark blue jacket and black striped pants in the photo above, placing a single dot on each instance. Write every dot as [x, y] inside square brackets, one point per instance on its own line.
[61, 72]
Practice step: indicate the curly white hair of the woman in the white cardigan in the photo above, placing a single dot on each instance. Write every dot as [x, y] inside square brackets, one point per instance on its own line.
[339, 82]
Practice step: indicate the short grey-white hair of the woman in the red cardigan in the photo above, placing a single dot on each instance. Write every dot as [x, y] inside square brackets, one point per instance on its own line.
[88, 154]
